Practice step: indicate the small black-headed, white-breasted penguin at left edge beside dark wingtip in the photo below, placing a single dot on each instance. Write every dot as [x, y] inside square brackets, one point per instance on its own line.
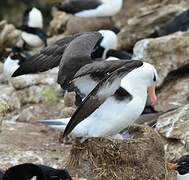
[13, 61]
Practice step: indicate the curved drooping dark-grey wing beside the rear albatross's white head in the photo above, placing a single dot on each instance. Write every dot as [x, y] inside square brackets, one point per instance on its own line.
[76, 55]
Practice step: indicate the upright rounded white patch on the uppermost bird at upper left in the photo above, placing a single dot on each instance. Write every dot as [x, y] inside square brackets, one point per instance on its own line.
[35, 18]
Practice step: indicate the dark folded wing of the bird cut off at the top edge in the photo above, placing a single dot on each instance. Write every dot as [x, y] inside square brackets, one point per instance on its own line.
[74, 6]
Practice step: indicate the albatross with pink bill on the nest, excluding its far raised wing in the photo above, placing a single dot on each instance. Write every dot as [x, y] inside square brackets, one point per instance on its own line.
[109, 108]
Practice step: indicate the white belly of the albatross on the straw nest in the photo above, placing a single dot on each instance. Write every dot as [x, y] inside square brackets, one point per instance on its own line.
[110, 118]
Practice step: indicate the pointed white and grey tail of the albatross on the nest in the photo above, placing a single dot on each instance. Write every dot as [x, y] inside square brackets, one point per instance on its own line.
[59, 124]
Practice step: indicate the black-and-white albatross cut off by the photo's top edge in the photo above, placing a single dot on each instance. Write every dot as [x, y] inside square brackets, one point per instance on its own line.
[91, 8]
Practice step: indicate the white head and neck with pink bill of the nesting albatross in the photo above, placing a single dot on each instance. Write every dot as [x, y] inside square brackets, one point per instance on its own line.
[142, 80]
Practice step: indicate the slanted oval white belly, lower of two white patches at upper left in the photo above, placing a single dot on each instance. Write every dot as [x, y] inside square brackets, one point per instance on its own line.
[32, 40]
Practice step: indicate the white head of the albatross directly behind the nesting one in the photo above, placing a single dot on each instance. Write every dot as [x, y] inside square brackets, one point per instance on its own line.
[109, 41]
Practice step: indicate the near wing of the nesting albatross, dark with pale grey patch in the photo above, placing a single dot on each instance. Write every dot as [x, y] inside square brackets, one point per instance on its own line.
[100, 93]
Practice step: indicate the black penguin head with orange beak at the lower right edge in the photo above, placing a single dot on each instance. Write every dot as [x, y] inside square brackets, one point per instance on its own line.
[181, 166]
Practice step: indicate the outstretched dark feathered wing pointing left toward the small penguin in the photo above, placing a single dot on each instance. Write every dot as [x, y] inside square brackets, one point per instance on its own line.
[46, 59]
